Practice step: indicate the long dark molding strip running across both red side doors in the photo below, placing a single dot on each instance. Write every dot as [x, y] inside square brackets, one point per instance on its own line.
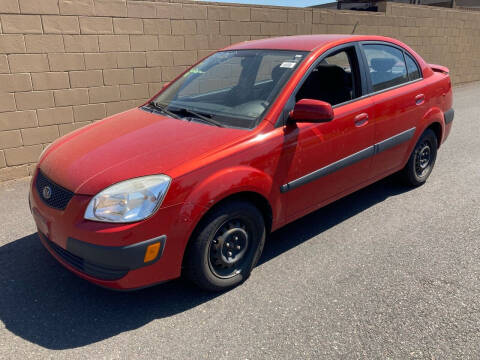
[350, 160]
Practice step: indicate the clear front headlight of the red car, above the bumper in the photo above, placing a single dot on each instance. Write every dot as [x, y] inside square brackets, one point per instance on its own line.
[129, 201]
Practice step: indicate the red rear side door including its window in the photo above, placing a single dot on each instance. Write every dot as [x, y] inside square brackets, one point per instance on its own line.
[399, 102]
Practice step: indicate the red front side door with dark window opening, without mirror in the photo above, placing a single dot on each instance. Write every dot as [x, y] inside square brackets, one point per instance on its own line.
[335, 156]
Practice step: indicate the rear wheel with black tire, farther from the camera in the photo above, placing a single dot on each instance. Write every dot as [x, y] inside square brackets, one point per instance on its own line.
[421, 161]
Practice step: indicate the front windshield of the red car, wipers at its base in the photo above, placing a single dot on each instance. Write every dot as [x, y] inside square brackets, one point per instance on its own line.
[230, 88]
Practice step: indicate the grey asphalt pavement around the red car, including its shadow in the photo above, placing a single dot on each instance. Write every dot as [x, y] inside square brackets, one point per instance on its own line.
[388, 272]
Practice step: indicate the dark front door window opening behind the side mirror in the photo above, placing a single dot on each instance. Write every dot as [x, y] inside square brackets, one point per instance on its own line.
[335, 80]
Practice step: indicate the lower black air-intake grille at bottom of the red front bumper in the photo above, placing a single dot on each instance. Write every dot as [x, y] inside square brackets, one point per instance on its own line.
[97, 271]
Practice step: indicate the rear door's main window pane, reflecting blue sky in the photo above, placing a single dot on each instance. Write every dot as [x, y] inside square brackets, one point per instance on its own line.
[386, 65]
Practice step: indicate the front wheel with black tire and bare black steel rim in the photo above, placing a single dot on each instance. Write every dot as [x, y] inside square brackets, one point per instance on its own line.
[226, 246]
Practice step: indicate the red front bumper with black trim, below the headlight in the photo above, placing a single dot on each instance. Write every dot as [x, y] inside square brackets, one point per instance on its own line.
[114, 255]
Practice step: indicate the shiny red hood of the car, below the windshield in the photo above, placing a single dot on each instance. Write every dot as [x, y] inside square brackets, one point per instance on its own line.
[127, 145]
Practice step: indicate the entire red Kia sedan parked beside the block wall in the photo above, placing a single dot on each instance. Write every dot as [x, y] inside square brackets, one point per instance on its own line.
[245, 141]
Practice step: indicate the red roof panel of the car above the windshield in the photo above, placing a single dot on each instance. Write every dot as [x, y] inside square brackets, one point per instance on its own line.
[302, 42]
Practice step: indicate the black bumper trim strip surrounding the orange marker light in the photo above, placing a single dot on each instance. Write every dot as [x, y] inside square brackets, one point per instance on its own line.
[125, 257]
